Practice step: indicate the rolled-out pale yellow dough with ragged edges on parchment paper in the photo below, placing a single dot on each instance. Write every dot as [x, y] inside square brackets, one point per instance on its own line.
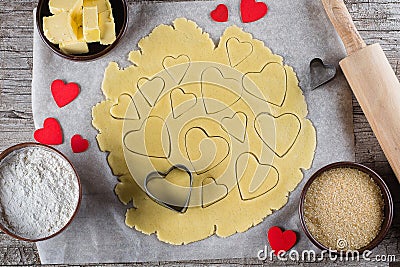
[238, 123]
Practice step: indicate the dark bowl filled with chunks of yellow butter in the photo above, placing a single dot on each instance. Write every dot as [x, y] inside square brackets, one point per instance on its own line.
[81, 30]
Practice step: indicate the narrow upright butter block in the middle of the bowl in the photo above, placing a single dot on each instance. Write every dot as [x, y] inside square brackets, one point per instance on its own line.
[91, 30]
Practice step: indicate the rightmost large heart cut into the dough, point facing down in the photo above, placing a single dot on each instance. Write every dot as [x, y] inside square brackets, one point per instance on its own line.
[278, 133]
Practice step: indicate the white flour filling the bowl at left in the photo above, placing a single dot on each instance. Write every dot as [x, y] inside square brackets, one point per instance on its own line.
[38, 192]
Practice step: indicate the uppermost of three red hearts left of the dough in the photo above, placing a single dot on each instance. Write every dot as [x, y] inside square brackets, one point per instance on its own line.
[63, 93]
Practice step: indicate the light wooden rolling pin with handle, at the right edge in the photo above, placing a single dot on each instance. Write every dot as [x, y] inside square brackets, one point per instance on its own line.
[372, 80]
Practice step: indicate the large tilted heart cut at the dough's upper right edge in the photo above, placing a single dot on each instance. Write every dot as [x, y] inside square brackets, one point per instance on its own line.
[269, 84]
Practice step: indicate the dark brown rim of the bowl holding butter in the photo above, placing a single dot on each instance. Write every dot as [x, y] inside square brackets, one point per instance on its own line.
[85, 57]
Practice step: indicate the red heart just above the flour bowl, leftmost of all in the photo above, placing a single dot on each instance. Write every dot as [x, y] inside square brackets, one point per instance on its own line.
[50, 134]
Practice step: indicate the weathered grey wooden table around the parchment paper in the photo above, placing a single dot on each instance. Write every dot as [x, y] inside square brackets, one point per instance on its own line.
[378, 21]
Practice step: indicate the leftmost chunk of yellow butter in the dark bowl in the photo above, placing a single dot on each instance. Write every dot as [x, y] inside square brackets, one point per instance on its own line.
[60, 28]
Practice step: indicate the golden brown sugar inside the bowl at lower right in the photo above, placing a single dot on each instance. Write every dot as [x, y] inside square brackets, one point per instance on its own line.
[344, 209]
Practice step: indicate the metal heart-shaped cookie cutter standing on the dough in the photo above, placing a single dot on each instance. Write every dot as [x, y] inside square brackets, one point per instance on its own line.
[163, 176]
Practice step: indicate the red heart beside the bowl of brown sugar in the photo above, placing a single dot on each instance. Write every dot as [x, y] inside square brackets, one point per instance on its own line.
[281, 241]
